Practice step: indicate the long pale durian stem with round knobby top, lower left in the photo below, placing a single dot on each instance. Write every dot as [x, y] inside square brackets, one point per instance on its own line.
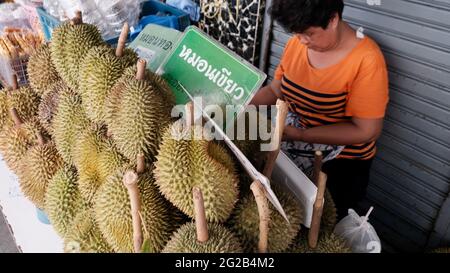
[130, 181]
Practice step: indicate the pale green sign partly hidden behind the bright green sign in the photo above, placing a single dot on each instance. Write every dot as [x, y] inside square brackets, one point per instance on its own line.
[154, 44]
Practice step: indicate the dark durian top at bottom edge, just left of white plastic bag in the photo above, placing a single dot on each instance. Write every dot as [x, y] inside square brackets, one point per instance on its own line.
[328, 243]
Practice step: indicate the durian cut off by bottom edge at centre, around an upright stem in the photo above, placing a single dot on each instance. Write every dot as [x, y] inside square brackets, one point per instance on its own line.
[221, 240]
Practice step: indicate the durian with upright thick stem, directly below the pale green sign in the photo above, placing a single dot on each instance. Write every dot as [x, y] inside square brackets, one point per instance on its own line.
[140, 118]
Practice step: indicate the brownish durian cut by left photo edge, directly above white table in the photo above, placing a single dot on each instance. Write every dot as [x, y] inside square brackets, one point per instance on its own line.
[16, 140]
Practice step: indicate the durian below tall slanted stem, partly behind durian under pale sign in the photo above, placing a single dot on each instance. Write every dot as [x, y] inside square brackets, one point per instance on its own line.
[100, 70]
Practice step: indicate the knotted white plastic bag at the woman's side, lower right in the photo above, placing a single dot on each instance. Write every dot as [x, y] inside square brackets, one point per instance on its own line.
[358, 233]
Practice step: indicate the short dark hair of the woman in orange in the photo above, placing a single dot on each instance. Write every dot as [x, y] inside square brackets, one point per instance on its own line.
[296, 16]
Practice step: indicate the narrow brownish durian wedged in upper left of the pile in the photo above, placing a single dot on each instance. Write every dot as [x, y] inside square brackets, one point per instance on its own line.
[49, 104]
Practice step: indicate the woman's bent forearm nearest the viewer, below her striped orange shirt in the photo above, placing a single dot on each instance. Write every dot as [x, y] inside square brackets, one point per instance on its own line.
[358, 130]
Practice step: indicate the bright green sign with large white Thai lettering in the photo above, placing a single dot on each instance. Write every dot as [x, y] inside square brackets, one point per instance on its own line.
[207, 69]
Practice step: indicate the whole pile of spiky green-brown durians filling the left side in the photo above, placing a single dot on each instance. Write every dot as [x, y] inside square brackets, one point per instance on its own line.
[91, 115]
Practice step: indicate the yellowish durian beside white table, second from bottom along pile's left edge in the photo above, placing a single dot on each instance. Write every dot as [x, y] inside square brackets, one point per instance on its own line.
[63, 200]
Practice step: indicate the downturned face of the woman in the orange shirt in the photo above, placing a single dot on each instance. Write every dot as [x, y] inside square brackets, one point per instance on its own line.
[319, 39]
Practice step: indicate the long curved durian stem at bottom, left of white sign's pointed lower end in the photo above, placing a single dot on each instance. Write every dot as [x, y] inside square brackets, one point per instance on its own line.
[264, 215]
